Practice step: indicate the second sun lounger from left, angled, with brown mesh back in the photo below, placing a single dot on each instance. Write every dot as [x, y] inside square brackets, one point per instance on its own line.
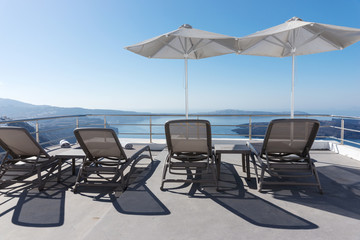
[105, 160]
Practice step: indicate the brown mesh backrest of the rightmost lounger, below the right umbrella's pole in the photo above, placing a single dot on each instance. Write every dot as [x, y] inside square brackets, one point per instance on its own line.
[290, 136]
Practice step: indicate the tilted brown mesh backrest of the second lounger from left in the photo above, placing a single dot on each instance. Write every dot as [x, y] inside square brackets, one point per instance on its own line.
[99, 142]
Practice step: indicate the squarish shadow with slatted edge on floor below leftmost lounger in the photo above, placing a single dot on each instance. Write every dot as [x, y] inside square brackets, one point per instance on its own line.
[38, 209]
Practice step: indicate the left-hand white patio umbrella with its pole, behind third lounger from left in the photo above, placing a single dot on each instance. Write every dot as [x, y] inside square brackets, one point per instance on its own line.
[185, 43]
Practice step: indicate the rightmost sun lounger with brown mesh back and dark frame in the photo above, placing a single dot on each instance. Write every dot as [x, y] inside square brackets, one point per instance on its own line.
[284, 153]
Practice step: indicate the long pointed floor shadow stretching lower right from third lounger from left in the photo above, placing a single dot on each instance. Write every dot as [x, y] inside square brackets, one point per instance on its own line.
[253, 209]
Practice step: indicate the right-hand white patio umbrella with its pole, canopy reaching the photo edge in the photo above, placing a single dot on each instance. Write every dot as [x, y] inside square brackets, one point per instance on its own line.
[297, 37]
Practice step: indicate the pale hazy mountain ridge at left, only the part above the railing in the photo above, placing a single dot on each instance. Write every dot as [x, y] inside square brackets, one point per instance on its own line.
[17, 110]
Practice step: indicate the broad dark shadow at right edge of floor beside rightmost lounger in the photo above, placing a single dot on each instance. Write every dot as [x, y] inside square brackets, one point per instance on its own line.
[341, 196]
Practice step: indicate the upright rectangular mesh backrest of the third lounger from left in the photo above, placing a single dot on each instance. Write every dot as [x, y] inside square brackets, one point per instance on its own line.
[188, 136]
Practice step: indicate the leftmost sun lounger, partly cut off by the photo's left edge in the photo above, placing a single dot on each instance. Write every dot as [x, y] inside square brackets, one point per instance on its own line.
[24, 157]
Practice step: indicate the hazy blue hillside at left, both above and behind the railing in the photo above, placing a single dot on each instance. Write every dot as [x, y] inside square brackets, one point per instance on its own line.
[52, 131]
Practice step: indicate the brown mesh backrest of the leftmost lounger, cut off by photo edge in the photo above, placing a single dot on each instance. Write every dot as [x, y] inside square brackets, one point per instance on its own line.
[19, 143]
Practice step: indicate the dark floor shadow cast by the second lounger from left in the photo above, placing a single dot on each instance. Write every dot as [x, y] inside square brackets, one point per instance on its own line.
[138, 198]
